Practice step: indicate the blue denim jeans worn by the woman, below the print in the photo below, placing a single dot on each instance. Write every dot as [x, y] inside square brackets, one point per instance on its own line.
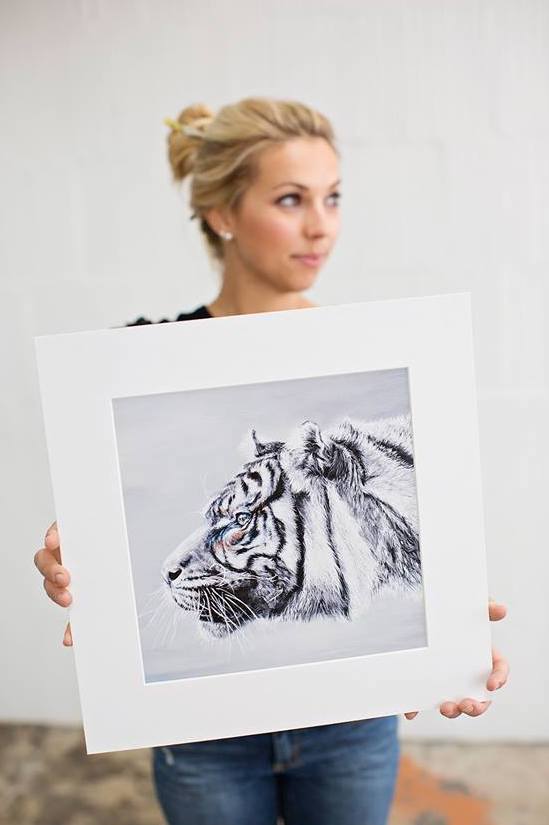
[342, 774]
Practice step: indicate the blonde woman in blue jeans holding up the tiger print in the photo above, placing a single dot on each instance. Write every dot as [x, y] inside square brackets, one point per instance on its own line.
[265, 178]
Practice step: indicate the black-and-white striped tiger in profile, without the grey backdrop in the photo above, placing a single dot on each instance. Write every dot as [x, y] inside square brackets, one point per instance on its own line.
[313, 526]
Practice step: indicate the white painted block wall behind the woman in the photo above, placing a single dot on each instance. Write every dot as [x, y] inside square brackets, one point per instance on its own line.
[443, 120]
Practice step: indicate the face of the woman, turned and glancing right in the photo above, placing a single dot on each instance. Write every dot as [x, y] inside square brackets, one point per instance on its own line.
[290, 211]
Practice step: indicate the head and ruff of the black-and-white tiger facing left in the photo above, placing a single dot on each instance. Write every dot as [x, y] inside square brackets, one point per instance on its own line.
[277, 540]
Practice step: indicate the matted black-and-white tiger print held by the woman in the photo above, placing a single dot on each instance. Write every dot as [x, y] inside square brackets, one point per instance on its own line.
[272, 521]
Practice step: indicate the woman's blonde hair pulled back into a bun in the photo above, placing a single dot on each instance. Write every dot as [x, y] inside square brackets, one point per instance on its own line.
[221, 151]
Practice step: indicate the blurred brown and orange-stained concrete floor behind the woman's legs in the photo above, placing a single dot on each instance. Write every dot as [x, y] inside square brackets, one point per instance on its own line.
[46, 778]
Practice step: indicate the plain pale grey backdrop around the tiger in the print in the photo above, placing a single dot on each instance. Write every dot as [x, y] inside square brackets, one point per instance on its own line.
[176, 450]
